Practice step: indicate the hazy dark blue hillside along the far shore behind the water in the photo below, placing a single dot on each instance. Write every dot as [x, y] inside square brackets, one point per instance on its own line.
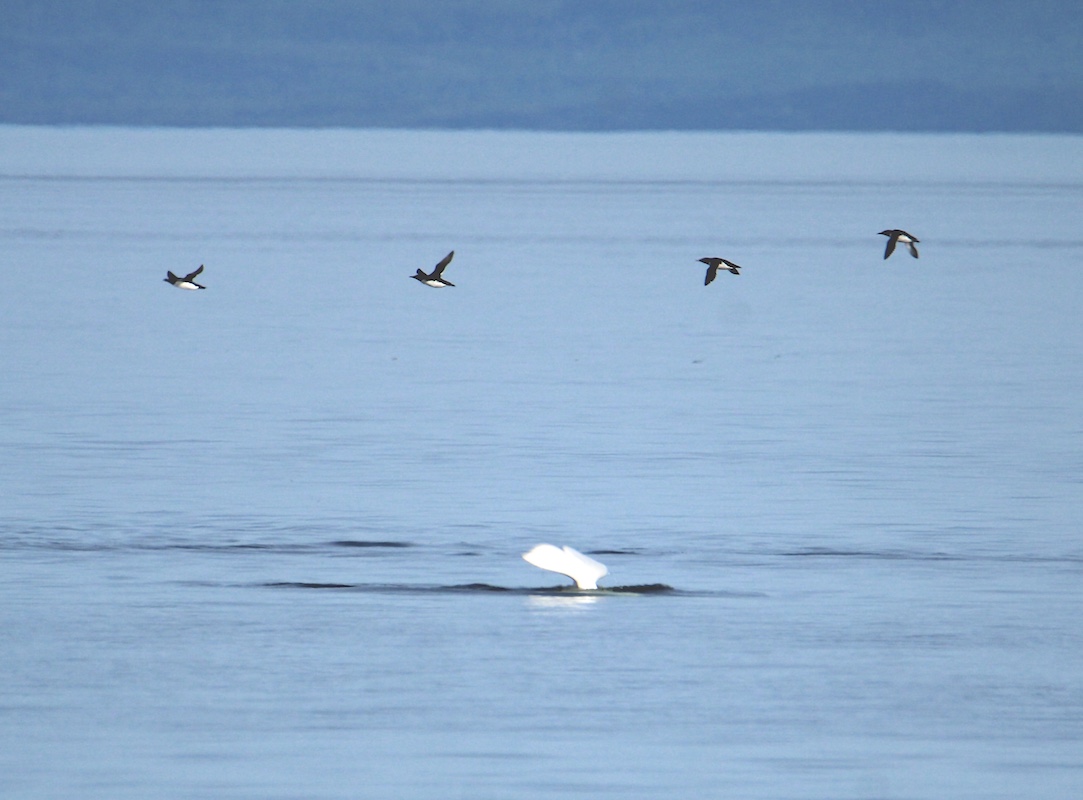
[576, 65]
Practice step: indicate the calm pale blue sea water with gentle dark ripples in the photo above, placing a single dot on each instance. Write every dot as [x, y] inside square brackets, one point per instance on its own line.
[264, 541]
